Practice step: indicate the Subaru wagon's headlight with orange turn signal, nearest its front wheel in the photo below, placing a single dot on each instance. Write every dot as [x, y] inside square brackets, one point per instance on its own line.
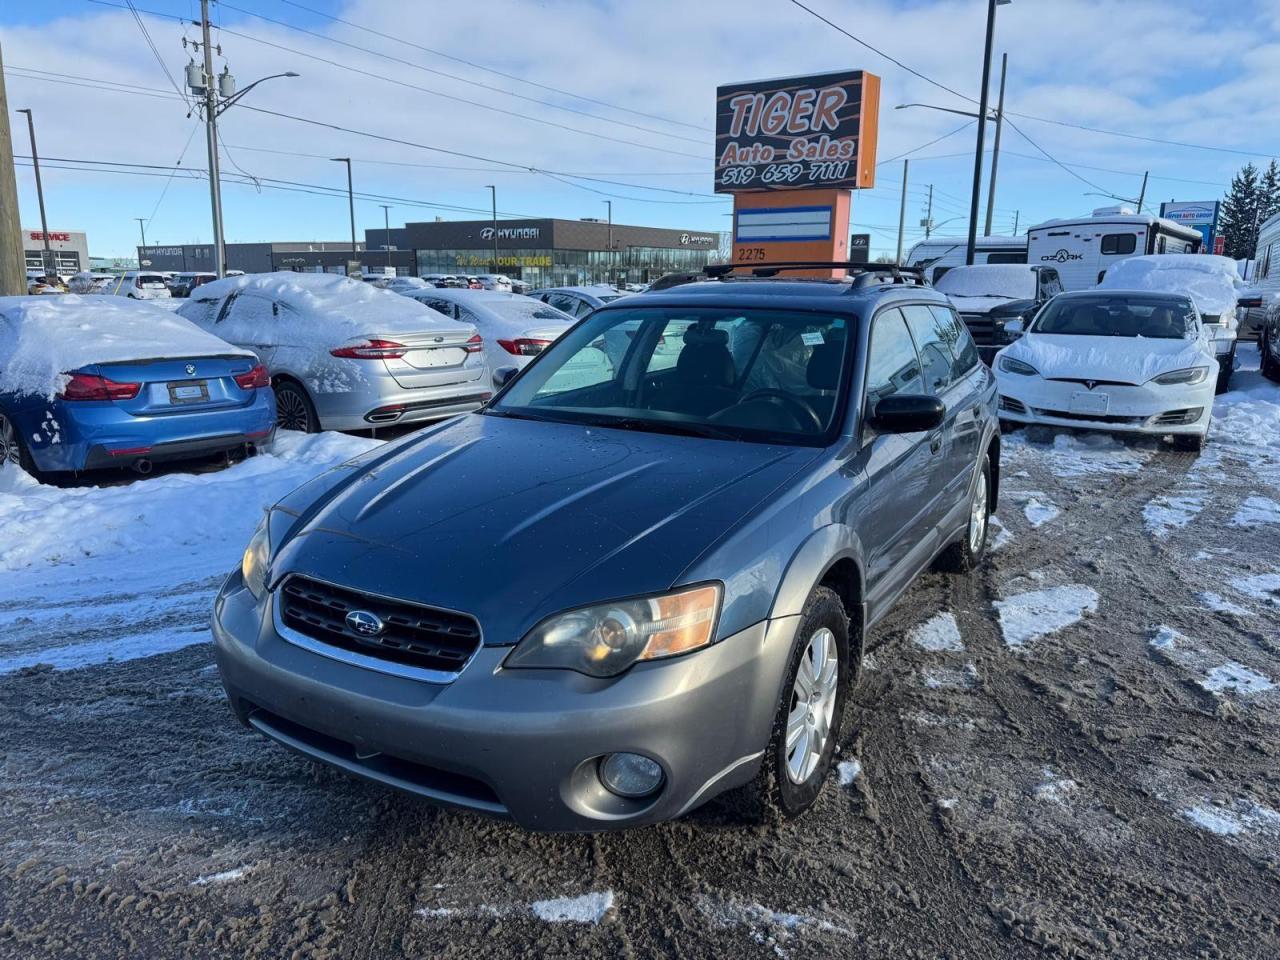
[606, 639]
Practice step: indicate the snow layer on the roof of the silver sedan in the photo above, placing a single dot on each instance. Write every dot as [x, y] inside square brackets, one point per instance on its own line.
[323, 309]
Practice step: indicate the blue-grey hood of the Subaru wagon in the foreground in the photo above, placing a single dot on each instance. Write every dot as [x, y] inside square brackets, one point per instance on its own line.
[515, 520]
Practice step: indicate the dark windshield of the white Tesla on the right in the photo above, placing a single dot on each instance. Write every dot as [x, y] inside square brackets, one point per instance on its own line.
[1165, 319]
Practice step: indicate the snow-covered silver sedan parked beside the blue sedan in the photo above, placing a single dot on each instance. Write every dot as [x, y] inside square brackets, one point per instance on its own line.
[345, 355]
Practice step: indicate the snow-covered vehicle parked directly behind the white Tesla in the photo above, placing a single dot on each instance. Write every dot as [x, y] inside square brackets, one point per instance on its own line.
[1212, 282]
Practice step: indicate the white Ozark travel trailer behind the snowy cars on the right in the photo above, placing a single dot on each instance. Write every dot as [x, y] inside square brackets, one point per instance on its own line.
[1084, 248]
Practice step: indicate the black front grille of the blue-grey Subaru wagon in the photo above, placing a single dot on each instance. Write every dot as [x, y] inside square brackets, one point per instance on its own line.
[413, 636]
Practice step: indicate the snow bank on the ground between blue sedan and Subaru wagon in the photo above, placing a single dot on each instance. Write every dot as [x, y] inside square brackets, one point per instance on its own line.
[129, 572]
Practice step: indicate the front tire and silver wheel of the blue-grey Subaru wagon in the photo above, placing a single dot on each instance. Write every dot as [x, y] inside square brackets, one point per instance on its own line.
[807, 726]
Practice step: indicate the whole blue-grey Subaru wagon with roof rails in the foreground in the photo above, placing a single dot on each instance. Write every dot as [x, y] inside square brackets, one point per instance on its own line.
[597, 605]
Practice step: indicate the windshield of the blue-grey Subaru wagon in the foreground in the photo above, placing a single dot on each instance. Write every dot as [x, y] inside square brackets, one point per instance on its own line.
[765, 376]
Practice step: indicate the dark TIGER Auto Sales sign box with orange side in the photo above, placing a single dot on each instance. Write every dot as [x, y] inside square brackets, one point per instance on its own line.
[815, 132]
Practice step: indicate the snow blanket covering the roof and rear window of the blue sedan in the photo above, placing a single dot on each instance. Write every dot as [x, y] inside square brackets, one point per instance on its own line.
[45, 339]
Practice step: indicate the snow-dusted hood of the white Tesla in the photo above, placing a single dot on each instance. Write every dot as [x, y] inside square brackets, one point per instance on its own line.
[1119, 359]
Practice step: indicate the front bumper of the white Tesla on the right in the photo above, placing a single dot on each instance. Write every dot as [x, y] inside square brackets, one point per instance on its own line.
[1131, 409]
